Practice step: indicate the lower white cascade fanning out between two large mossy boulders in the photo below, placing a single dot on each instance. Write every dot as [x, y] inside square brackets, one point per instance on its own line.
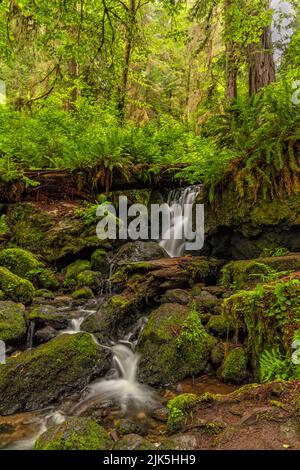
[123, 387]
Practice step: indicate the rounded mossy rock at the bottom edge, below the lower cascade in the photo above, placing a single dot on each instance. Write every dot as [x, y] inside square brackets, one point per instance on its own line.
[75, 434]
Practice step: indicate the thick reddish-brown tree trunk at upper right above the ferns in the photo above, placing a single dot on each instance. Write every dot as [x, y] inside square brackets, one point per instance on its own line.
[261, 63]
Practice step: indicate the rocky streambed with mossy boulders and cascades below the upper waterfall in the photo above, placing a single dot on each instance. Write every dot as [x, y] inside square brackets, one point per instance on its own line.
[199, 325]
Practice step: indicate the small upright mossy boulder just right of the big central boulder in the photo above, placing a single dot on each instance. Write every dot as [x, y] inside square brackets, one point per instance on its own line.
[234, 367]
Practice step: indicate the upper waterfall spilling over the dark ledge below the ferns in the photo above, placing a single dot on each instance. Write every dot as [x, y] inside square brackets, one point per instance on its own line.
[173, 240]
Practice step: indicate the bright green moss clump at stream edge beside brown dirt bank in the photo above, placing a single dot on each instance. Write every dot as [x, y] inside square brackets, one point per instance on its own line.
[179, 408]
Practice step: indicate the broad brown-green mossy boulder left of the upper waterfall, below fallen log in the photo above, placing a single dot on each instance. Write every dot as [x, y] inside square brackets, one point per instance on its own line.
[54, 232]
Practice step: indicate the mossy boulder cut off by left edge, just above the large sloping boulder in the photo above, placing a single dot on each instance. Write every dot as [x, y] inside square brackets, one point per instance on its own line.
[12, 323]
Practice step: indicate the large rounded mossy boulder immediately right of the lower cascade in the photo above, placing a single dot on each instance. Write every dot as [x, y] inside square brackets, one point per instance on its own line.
[173, 345]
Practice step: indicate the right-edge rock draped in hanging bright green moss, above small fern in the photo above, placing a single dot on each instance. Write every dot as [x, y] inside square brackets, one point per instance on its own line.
[269, 314]
